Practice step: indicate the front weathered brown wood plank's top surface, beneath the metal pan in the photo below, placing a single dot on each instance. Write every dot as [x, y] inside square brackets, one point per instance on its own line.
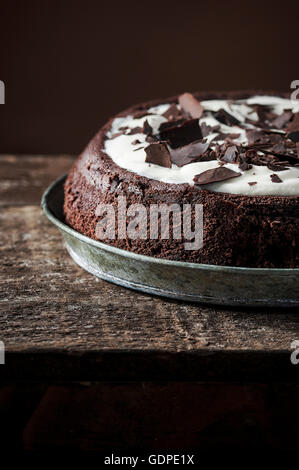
[46, 297]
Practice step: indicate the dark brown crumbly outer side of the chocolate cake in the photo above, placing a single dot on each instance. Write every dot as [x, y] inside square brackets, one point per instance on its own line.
[238, 229]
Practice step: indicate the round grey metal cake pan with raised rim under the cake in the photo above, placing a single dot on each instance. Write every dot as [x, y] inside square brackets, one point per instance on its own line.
[221, 285]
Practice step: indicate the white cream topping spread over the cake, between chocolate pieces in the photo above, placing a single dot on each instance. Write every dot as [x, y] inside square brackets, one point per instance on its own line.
[132, 157]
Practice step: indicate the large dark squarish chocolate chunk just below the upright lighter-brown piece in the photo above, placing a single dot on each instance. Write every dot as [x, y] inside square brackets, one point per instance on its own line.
[181, 134]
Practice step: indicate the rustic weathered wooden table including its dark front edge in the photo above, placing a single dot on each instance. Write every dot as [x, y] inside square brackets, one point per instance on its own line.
[59, 323]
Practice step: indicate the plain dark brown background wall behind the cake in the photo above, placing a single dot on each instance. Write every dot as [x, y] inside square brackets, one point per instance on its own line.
[68, 66]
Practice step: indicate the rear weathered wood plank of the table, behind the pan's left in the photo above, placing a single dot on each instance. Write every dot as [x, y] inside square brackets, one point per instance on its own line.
[24, 178]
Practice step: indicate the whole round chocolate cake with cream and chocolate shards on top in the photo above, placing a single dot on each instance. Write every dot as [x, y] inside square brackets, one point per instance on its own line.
[234, 154]
